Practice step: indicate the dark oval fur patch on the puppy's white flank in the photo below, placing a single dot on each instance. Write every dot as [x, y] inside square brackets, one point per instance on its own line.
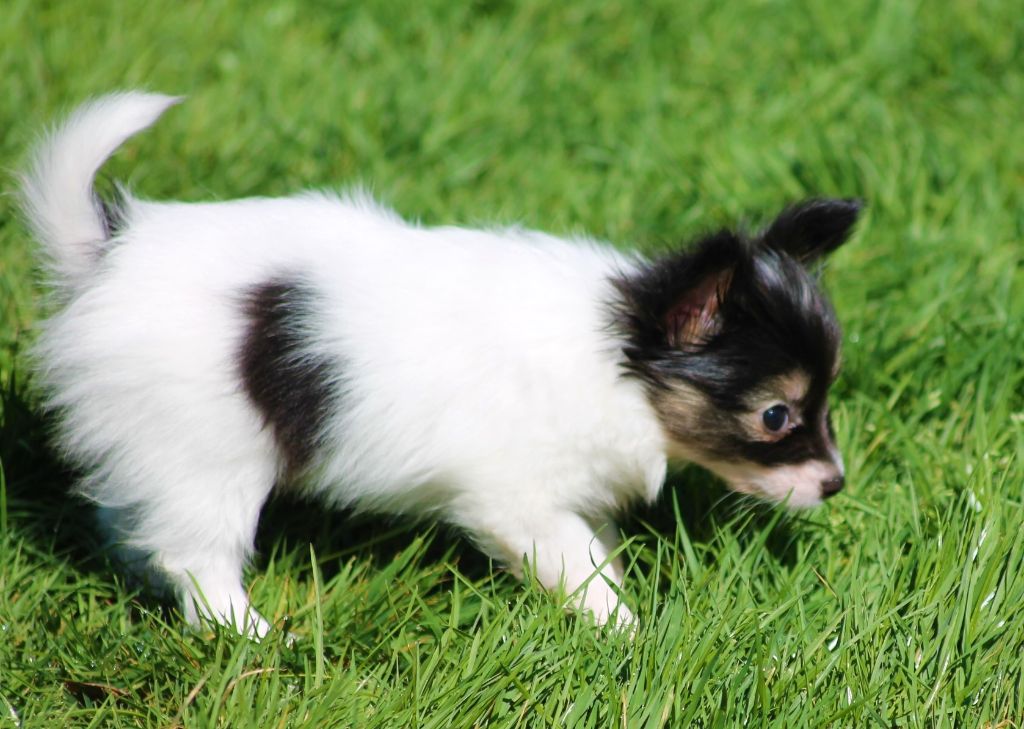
[292, 388]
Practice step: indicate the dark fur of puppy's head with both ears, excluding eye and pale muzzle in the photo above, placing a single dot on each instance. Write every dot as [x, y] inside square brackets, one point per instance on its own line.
[772, 320]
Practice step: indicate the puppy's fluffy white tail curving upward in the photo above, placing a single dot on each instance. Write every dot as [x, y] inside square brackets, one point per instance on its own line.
[58, 199]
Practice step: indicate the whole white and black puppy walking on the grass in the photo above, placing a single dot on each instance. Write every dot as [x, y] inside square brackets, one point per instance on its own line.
[520, 387]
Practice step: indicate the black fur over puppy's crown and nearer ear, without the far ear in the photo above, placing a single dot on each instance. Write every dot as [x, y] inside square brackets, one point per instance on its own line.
[774, 321]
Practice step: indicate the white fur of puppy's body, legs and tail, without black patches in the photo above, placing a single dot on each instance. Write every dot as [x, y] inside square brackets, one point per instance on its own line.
[483, 382]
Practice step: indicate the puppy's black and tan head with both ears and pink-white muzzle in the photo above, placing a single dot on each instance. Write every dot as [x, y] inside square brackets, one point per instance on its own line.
[739, 347]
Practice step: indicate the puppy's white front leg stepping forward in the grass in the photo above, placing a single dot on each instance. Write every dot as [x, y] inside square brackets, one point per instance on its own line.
[567, 553]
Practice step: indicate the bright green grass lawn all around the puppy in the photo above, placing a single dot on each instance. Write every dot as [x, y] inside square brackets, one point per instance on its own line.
[899, 605]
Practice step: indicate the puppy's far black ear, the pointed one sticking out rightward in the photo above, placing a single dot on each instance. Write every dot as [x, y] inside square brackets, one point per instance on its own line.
[814, 229]
